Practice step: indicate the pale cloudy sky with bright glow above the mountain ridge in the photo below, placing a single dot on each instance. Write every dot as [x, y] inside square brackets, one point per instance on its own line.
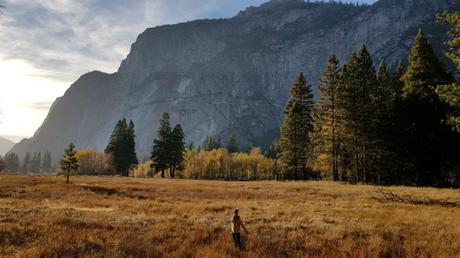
[47, 44]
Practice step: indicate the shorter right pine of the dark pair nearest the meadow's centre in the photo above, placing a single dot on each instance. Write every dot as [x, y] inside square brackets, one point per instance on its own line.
[177, 145]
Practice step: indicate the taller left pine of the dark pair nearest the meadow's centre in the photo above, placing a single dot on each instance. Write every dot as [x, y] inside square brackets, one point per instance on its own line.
[161, 146]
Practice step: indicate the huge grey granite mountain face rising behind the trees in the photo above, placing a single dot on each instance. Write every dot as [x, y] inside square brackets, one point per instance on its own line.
[218, 77]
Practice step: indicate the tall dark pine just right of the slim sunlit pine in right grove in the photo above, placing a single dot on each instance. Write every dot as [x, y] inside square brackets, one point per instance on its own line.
[358, 84]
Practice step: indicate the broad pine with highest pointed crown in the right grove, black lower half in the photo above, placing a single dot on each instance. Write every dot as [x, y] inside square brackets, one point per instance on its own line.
[429, 143]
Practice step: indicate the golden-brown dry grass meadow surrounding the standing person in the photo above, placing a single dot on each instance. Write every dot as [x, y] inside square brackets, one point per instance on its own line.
[41, 216]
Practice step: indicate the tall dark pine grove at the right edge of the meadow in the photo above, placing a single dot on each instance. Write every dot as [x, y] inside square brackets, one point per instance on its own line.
[373, 126]
